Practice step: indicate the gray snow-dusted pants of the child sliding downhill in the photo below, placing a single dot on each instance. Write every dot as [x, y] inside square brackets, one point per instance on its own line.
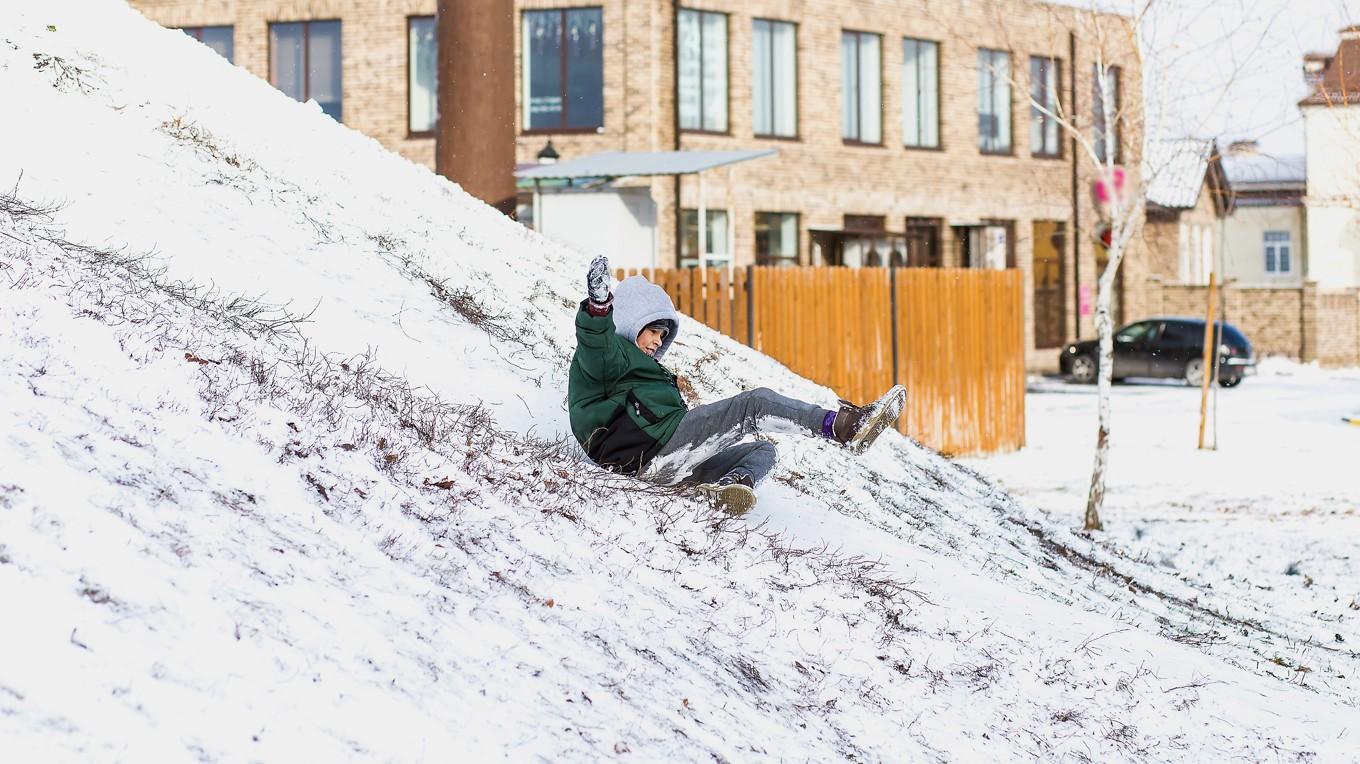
[708, 444]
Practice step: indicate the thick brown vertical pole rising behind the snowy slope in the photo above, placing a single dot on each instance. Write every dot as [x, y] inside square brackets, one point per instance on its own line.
[477, 130]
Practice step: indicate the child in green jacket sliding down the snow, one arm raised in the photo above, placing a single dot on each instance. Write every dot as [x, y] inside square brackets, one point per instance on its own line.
[628, 413]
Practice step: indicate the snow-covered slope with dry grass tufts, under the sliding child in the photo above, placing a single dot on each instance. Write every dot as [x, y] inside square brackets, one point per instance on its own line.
[282, 478]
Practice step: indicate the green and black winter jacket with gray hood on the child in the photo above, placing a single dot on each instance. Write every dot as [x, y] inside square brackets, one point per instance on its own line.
[624, 404]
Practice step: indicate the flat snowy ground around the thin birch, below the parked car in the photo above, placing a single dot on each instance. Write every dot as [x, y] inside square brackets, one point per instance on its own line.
[1271, 516]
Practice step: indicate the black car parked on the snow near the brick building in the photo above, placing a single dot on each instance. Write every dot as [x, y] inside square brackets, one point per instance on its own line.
[1163, 347]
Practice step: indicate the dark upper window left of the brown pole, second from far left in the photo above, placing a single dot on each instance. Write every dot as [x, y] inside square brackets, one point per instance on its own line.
[305, 63]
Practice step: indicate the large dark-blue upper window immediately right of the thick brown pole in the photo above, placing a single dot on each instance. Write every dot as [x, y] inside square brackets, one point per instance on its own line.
[564, 70]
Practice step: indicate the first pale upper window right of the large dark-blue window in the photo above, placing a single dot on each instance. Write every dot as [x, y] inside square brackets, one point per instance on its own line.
[704, 71]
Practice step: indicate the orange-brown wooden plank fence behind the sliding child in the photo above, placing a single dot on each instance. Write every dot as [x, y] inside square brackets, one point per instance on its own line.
[955, 338]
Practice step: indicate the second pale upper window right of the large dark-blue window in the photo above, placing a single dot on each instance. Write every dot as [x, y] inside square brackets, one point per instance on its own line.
[775, 74]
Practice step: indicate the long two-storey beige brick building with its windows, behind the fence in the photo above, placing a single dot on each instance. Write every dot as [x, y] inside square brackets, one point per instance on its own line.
[905, 130]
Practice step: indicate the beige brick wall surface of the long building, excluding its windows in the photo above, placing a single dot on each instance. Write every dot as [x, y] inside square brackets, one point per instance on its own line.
[815, 176]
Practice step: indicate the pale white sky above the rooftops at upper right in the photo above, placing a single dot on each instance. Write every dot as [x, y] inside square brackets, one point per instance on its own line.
[1234, 69]
